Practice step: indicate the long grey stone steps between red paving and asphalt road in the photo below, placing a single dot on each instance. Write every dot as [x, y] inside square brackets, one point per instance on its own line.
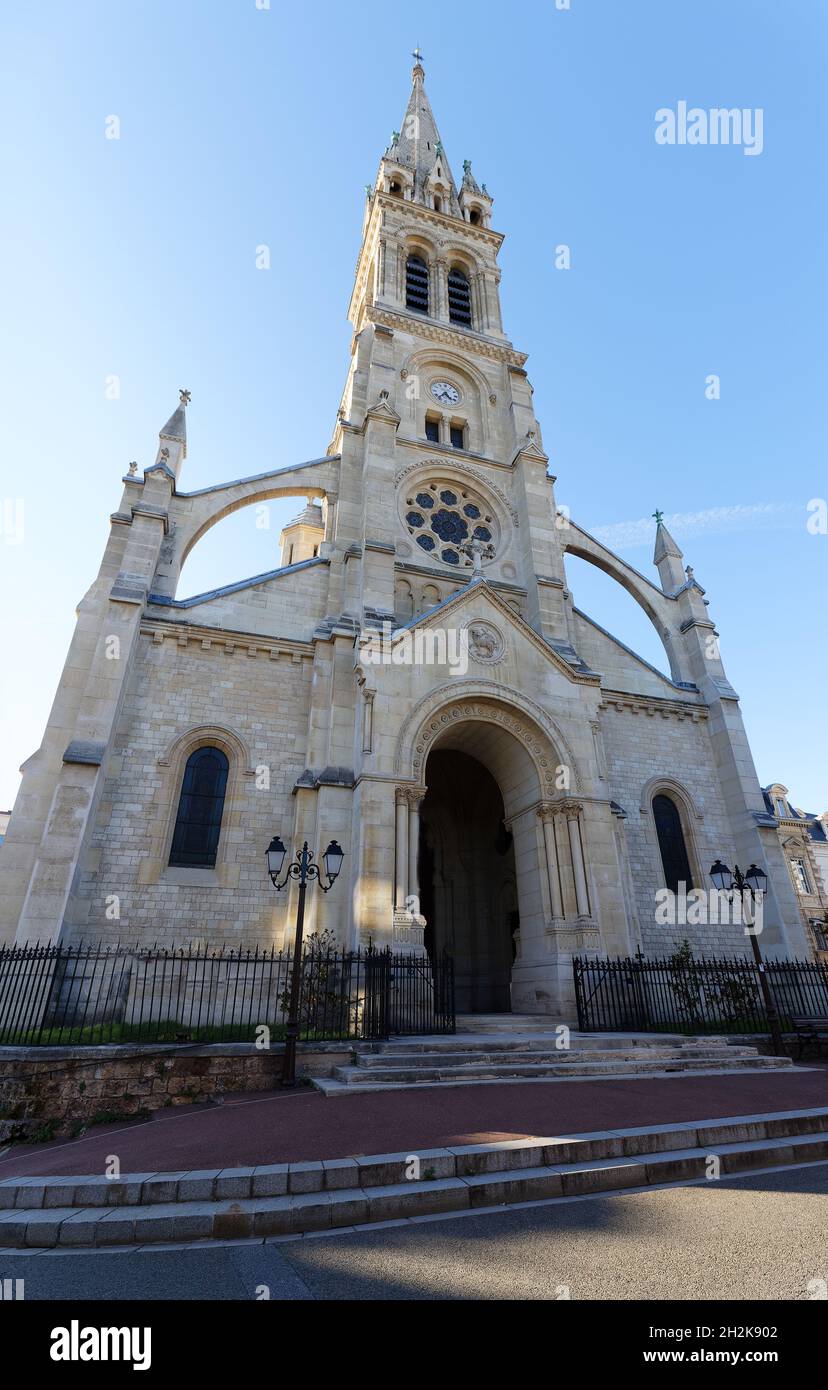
[290, 1200]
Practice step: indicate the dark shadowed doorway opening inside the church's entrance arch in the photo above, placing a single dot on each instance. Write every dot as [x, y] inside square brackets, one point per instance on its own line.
[467, 879]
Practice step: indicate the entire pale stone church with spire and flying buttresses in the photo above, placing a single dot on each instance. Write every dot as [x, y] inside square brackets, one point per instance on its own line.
[516, 786]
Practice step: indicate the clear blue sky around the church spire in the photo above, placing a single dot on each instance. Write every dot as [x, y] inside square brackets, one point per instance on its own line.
[241, 127]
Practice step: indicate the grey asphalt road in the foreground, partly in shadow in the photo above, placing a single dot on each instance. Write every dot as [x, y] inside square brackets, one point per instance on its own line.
[754, 1238]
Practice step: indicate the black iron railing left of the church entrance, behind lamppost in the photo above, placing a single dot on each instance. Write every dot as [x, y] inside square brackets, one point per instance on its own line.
[94, 995]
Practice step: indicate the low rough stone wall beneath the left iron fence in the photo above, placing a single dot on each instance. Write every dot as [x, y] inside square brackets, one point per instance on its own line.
[52, 1092]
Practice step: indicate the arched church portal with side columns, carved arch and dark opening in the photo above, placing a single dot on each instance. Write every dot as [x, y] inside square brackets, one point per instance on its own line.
[479, 769]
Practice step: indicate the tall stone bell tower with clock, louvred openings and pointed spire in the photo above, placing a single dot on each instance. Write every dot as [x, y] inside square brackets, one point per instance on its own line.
[433, 370]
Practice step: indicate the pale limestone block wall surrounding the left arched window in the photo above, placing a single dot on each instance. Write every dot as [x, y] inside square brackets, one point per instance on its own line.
[262, 705]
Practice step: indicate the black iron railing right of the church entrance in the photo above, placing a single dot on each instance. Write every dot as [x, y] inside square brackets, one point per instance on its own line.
[688, 995]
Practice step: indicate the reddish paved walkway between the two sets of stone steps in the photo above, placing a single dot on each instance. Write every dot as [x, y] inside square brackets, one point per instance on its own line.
[279, 1127]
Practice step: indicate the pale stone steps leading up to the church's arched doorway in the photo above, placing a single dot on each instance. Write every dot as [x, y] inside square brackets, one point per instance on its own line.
[516, 1049]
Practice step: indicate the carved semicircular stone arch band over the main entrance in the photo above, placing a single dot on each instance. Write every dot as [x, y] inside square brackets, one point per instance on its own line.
[486, 701]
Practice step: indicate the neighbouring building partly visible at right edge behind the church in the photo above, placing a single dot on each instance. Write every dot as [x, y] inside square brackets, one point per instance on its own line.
[805, 844]
